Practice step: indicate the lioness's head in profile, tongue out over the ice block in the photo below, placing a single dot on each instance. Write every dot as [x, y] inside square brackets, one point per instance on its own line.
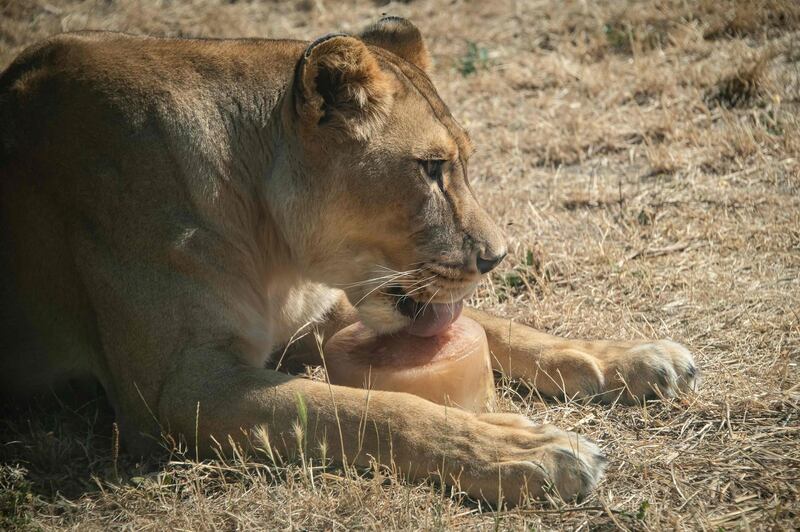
[378, 169]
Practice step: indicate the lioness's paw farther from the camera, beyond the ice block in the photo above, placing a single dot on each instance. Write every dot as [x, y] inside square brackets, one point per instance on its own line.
[648, 370]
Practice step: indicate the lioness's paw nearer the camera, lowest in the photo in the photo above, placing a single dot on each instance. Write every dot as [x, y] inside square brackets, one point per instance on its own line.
[535, 461]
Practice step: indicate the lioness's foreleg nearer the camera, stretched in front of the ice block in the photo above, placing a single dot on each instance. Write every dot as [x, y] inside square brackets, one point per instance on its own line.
[497, 455]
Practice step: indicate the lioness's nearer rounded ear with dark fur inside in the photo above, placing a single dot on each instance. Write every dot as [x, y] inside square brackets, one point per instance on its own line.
[341, 86]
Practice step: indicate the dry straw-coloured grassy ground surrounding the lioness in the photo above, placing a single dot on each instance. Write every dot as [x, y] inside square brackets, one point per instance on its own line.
[643, 157]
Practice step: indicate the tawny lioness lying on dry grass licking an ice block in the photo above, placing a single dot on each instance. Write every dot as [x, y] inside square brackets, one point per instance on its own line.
[175, 212]
